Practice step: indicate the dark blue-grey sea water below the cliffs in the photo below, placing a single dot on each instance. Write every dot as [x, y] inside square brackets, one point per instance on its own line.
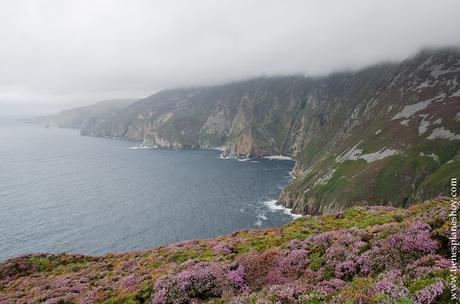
[62, 192]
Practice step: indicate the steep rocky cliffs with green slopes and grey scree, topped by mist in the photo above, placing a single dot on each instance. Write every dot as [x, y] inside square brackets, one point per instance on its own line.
[388, 134]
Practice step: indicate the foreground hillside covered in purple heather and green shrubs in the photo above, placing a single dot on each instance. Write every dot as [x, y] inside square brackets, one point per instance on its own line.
[361, 255]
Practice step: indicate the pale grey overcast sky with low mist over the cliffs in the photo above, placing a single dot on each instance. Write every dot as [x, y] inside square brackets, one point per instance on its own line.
[56, 53]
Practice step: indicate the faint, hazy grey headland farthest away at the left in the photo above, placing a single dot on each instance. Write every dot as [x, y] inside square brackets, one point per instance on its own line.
[83, 117]
